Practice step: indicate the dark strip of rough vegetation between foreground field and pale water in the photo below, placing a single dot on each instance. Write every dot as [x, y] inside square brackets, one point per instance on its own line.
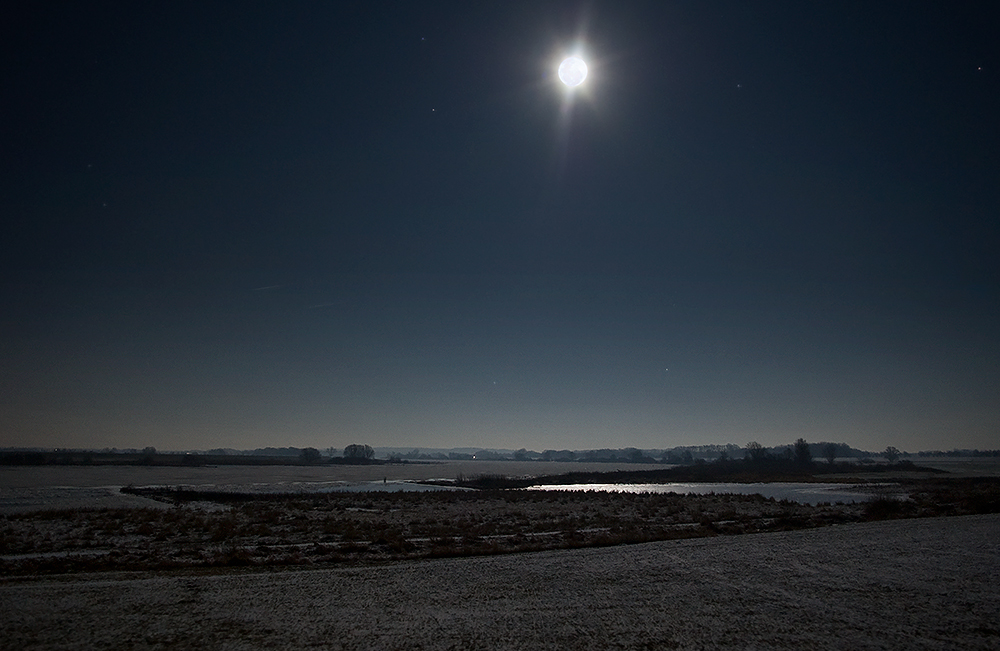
[208, 529]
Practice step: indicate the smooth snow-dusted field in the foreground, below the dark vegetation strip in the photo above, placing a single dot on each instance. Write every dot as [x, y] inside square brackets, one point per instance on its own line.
[904, 584]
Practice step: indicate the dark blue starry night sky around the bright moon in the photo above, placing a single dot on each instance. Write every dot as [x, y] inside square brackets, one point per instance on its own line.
[312, 224]
